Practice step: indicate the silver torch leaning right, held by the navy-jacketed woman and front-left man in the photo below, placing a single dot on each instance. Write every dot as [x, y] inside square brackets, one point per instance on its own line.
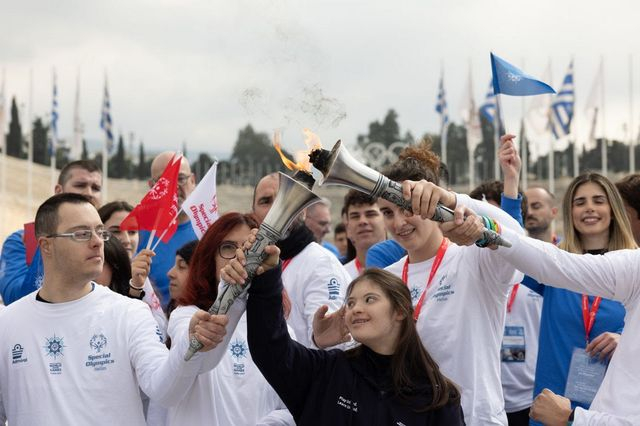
[294, 195]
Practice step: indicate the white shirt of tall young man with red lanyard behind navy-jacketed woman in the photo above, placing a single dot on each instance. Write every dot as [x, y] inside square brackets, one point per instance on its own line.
[462, 318]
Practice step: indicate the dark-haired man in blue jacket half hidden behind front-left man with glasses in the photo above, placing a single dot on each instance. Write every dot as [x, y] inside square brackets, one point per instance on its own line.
[20, 276]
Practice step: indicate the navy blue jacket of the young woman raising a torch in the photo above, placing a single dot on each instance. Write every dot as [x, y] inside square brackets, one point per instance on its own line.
[328, 387]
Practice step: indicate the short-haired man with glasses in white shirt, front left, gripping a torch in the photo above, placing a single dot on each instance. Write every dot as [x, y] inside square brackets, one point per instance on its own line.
[79, 352]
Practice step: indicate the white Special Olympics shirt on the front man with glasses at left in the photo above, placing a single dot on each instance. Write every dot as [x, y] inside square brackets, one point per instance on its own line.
[83, 362]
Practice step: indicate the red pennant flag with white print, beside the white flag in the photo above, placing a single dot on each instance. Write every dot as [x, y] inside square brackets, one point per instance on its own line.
[158, 209]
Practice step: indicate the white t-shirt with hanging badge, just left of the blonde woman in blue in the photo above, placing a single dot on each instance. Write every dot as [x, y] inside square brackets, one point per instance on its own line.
[518, 377]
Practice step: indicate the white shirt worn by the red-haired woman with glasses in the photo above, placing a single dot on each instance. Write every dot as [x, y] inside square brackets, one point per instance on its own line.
[234, 392]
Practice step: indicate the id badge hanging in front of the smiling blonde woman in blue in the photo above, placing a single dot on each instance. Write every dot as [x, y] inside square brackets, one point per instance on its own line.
[585, 376]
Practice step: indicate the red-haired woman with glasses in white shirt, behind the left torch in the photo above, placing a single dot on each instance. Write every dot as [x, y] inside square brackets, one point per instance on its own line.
[234, 391]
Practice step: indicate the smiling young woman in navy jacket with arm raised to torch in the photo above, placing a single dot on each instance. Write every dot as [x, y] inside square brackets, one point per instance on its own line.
[389, 379]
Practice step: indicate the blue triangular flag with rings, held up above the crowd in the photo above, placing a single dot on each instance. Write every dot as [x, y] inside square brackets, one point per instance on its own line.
[510, 80]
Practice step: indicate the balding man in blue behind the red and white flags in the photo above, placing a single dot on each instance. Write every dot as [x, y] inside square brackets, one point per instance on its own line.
[165, 252]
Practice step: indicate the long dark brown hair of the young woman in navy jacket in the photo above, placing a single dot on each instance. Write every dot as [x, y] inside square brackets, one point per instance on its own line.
[411, 360]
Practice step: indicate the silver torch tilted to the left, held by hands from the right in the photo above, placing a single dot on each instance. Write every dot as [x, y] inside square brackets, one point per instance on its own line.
[338, 167]
